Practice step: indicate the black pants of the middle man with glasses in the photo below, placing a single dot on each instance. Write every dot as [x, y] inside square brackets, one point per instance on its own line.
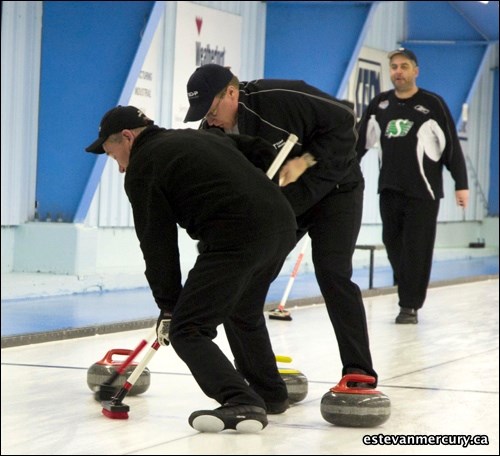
[333, 225]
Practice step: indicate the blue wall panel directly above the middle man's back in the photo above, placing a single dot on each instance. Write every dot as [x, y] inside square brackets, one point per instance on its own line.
[313, 42]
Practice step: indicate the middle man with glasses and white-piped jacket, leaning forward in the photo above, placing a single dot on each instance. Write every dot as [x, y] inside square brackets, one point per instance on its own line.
[322, 180]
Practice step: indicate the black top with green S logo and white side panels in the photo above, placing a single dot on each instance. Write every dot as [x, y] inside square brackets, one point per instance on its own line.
[415, 138]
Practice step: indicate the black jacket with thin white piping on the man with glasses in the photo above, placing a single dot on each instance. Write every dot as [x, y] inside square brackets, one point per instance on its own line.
[325, 126]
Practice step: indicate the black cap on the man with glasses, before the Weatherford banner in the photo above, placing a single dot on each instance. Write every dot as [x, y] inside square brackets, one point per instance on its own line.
[203, 86]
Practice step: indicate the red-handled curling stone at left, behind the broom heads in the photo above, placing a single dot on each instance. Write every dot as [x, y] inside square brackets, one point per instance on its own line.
[101, 371]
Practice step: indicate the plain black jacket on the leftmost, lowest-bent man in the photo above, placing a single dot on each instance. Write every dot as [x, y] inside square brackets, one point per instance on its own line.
[203, 183]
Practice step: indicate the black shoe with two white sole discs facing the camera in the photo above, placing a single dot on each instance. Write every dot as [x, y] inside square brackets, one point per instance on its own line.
[241, 418]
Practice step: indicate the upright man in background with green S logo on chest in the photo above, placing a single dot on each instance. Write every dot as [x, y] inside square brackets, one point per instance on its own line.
[416, 137]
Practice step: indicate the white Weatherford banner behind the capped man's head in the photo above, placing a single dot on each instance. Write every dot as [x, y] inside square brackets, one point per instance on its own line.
[203, 35]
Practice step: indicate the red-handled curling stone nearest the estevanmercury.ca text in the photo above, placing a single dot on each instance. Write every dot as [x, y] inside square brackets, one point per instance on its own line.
[355, 406]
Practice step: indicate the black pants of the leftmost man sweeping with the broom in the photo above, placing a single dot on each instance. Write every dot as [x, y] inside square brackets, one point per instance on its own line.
[229, 286]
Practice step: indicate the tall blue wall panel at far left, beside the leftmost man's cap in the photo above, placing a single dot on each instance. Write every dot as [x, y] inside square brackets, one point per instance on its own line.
[87, 51]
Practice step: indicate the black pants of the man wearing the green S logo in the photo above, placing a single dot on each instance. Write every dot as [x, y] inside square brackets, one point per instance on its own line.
[409, 233]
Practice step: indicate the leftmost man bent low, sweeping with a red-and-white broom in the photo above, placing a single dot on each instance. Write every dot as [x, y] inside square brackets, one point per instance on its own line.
[203, 183]
